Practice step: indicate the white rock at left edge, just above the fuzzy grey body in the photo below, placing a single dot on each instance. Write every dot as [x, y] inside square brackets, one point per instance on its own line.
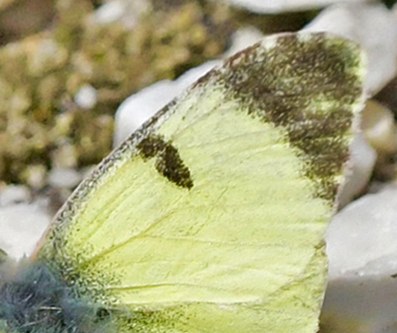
[22, 225]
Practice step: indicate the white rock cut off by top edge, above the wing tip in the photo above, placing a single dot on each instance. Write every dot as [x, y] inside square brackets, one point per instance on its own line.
[279, 6]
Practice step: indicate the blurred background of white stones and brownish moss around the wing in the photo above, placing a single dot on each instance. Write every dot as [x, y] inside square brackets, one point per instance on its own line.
[78, 76]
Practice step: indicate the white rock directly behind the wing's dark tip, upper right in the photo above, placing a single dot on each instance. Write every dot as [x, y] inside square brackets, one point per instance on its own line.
[375, 28]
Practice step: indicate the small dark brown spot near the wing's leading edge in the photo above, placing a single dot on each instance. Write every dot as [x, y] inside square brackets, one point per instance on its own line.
[168, 161]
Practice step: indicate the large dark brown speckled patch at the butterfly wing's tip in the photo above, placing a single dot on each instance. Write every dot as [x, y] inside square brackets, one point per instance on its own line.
[280, 83]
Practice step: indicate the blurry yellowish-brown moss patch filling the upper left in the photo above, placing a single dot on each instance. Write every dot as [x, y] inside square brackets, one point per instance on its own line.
[41, 125]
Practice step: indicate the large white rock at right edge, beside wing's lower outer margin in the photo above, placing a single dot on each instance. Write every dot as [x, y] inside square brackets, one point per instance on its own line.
[361, 239]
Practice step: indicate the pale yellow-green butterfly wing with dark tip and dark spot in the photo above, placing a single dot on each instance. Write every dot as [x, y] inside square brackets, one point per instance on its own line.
[210, 218]
